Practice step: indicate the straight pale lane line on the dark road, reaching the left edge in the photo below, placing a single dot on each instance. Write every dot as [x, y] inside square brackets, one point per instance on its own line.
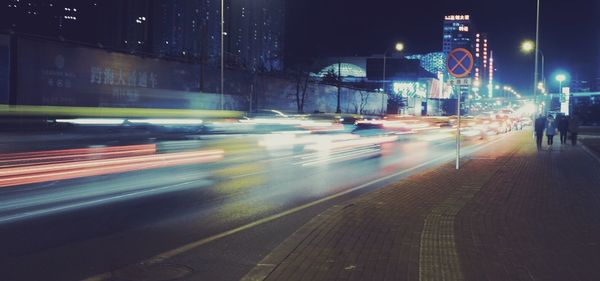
[47, 211]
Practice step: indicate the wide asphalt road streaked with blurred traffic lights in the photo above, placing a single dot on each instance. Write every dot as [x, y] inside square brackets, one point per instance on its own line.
[75, 228]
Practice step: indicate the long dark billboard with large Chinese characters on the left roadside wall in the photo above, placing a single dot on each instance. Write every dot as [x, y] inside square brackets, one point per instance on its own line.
[52, 73]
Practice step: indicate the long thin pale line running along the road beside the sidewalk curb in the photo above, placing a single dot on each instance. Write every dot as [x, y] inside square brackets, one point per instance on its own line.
[186, 248]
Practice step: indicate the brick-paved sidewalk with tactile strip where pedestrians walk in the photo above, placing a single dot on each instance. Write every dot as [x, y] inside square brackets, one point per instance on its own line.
[511, 213]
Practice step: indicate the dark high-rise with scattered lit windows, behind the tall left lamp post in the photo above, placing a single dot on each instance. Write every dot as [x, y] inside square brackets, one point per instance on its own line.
[253, 32]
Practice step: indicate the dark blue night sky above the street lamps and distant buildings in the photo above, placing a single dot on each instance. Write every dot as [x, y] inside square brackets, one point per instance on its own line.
[569, 39]
